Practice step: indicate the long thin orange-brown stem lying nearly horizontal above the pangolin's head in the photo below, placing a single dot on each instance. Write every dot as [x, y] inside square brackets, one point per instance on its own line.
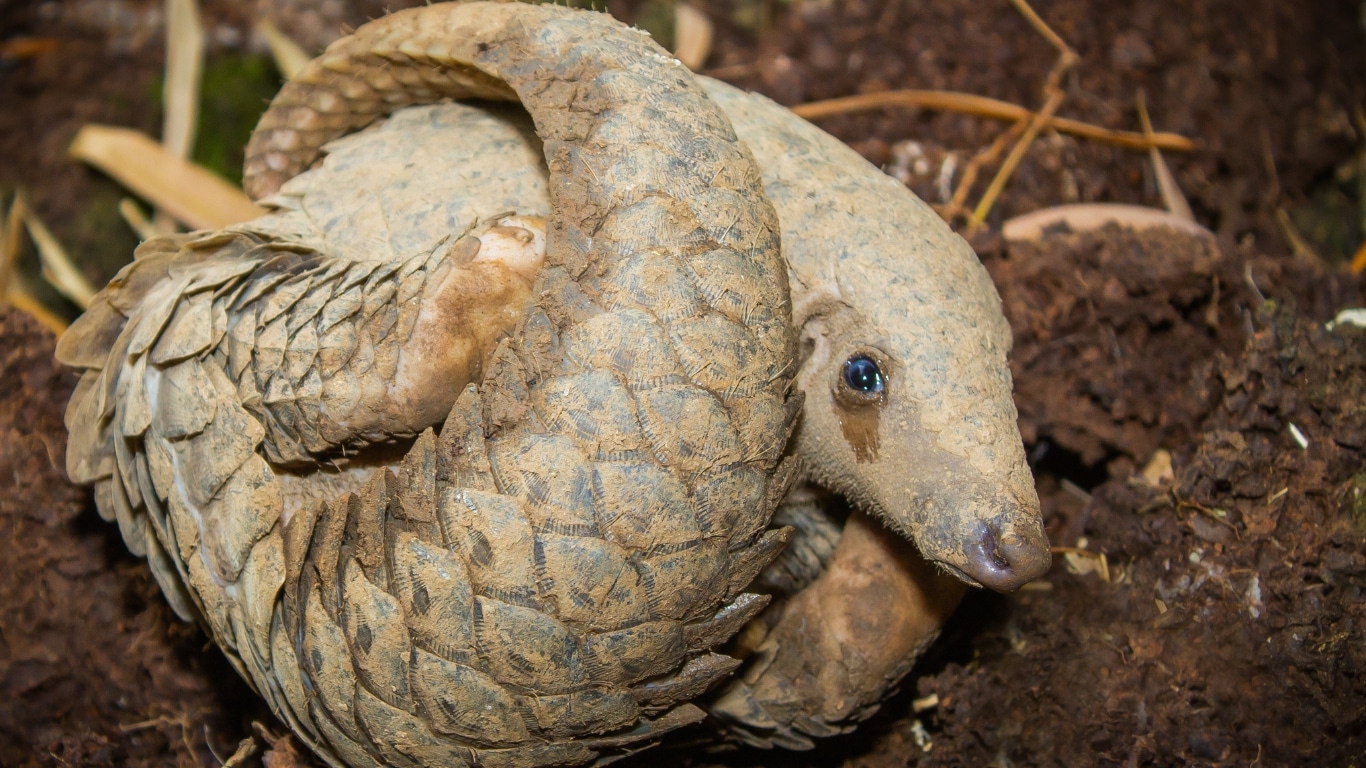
[977, 106]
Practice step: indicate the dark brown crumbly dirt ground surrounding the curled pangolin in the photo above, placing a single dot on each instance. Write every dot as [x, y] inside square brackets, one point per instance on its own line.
[1226, 622]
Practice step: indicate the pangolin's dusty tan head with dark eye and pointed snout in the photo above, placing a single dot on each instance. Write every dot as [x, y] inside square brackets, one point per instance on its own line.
[909, 411]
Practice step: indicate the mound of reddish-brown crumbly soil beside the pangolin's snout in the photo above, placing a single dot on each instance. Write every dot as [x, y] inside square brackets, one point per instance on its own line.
[1225, 632]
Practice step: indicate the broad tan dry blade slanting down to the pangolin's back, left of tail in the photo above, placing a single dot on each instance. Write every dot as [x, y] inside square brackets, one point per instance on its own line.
[191, 193]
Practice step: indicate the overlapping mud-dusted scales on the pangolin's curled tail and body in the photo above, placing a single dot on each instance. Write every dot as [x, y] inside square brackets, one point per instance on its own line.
[543, 581]
